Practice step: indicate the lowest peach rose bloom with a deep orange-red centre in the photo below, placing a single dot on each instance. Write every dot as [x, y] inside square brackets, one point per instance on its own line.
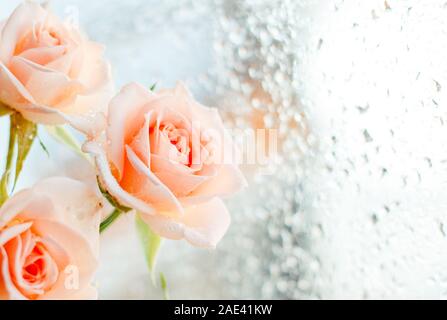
[49, 241]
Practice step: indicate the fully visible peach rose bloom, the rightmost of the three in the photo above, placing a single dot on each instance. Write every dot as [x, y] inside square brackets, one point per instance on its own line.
[169, 158]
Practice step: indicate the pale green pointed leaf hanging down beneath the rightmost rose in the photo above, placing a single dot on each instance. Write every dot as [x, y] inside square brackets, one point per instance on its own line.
[151, 244]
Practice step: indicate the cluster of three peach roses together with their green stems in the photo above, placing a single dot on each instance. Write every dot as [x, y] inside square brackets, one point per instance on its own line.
[160, 154]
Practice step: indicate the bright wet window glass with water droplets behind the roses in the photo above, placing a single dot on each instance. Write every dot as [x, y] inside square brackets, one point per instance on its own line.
[355, 206]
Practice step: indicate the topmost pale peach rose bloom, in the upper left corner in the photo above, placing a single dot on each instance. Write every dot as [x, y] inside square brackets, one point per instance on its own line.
[49, 71]
